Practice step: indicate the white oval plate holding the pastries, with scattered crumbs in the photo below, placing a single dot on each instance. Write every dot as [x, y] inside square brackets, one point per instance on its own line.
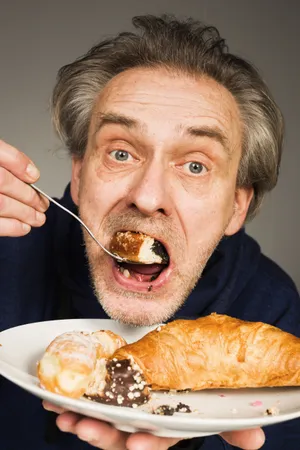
[216, 411]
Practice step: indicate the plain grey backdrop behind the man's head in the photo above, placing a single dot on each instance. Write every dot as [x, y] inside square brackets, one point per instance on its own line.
[37, 37]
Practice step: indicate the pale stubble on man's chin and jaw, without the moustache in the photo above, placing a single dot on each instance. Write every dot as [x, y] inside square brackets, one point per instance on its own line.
[149, 308]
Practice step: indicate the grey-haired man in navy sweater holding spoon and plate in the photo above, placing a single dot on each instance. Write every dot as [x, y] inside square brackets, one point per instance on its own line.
[170, 135]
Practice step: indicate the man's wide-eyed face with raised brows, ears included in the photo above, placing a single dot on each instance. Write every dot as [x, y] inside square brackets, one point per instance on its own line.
[162, 158]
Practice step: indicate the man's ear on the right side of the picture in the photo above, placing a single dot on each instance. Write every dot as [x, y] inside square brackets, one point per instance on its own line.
[243, 197]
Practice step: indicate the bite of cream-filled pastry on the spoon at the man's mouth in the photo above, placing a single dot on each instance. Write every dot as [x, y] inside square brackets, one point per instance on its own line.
[138, 247]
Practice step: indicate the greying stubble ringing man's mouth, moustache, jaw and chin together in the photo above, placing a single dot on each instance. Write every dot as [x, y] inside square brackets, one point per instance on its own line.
[145, 308]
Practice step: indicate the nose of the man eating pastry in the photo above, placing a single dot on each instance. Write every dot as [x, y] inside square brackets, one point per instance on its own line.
[150, 191]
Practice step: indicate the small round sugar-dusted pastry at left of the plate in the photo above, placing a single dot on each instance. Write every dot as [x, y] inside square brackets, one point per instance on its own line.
[74, 362]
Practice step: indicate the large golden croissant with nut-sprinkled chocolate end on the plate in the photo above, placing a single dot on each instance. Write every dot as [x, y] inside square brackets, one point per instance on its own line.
[216, 351]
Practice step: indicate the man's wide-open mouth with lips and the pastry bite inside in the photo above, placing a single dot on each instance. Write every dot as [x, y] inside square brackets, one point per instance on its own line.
[150, 261]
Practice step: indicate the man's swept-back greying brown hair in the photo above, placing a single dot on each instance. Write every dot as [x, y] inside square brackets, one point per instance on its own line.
[186, 46]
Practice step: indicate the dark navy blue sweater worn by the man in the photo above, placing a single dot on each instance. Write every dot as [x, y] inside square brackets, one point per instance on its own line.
[45, 276]
